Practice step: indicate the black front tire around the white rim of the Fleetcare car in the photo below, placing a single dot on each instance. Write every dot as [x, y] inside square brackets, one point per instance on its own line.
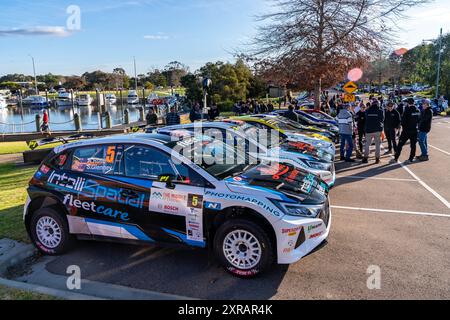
[267, 251]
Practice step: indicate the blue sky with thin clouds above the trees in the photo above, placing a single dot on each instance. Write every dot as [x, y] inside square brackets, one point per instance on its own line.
[156, 32]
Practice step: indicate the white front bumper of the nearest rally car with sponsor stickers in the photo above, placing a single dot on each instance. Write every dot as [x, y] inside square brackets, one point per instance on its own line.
[297, 237]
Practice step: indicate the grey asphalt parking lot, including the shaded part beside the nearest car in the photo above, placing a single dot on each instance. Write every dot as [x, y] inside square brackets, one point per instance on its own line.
[393, 216]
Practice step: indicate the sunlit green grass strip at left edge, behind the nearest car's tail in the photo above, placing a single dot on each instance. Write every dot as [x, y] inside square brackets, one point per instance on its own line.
[13, 182]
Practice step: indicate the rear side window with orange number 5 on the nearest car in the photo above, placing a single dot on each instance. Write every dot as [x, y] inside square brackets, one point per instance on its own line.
[96, 159]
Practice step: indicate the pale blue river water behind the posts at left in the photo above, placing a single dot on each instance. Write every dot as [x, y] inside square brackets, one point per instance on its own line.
[12, 120]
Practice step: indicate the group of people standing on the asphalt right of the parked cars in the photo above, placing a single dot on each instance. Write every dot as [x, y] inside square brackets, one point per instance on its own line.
[363, 124]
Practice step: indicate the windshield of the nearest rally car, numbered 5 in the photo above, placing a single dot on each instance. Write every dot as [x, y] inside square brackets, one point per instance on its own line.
[216, 157]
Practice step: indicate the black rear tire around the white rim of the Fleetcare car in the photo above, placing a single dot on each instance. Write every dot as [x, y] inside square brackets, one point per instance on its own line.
[66, 240]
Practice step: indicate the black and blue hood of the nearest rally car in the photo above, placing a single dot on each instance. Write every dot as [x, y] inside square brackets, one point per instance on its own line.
[281, 182]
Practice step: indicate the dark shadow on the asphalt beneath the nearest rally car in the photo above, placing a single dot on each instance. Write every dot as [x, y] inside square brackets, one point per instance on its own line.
[180, 272]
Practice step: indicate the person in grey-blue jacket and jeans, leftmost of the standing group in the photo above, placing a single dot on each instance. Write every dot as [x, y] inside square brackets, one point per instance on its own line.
[346, 126]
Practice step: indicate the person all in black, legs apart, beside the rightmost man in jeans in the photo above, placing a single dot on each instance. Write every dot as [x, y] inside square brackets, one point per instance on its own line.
[410, 122]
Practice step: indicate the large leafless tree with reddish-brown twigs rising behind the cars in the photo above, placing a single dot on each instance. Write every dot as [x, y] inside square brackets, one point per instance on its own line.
[314, 43]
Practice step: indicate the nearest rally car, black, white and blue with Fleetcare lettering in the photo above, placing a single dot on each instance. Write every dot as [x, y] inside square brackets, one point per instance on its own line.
[149, 189]
